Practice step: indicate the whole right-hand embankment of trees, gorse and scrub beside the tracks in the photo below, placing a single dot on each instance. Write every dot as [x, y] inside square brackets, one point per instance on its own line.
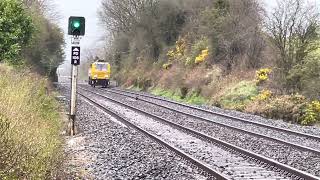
[228, 53]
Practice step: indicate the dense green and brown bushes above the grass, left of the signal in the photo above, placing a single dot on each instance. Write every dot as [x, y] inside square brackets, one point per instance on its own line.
[27, 37]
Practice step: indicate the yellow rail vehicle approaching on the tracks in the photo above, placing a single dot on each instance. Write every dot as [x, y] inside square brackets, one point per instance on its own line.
[99, 74]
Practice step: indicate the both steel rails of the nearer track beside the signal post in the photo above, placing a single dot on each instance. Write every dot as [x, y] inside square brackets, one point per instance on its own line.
[270, 164]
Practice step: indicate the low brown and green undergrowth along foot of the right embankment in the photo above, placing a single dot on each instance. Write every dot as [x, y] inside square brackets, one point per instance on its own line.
[251, 93]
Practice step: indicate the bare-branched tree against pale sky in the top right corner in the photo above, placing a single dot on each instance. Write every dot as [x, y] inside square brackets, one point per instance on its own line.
[293, 28]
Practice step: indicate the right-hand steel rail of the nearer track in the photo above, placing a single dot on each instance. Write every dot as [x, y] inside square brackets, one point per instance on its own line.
[294, 173]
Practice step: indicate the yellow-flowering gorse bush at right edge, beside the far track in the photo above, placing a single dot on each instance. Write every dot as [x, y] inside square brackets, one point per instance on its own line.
[312, 113]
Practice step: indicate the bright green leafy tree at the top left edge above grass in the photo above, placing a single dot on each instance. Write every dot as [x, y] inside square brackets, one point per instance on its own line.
[16, 30]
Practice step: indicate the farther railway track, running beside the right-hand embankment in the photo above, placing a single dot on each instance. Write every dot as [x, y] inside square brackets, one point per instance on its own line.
[289, 142]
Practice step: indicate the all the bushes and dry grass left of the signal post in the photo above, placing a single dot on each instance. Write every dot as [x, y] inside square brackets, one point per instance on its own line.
[31, 49]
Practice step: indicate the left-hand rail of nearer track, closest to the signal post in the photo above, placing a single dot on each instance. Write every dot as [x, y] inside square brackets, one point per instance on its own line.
[197, 163]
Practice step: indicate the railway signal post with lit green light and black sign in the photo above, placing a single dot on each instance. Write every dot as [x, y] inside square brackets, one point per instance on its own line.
[76, 29]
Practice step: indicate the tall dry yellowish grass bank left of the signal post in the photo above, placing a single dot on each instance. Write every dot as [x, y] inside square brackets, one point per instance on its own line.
[30, 144]
